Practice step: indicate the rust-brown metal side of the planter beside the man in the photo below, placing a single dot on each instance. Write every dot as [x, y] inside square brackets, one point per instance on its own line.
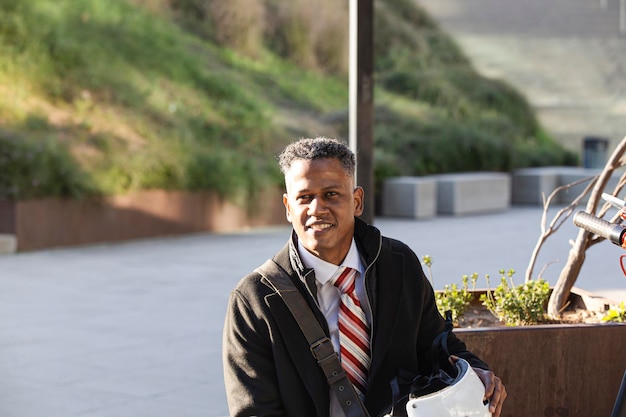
[554, 370]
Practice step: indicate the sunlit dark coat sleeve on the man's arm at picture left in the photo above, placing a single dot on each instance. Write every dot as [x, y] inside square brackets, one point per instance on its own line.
[249, 373]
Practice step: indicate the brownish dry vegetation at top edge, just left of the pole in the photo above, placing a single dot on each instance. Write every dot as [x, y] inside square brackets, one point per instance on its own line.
[312, 33]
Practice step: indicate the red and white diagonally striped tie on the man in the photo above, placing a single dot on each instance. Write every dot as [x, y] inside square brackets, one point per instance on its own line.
[354, 337]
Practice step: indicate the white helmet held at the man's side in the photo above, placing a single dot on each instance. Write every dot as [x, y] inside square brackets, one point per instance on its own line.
[463, 398]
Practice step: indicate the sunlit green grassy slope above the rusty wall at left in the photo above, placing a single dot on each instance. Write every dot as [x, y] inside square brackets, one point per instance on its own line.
[177, 122]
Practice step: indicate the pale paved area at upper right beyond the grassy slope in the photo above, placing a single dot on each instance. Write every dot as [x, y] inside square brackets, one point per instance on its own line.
[567, 56]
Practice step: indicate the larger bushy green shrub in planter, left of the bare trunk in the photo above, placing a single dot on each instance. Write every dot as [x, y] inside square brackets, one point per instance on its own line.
[517, 305]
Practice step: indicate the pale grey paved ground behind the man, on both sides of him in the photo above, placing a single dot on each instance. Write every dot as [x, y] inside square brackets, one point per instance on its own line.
[134, 329]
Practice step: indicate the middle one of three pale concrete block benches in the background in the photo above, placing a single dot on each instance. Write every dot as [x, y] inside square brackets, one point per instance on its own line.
[473, 192]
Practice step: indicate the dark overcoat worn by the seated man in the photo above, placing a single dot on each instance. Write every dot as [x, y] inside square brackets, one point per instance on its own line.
[268, 367]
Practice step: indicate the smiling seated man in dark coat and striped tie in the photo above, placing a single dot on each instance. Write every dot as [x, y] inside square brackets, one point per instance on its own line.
[268, 366]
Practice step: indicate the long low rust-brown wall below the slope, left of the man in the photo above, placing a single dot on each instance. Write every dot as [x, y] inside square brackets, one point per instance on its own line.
[45, 223]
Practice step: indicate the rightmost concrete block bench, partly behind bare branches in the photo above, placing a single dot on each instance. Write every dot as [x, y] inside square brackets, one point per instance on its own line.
[529, 184]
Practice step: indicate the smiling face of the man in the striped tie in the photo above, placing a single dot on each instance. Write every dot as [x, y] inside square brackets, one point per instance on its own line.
[321, 203]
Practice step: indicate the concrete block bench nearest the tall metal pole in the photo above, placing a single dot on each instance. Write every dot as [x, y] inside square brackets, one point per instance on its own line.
[413, 197]
